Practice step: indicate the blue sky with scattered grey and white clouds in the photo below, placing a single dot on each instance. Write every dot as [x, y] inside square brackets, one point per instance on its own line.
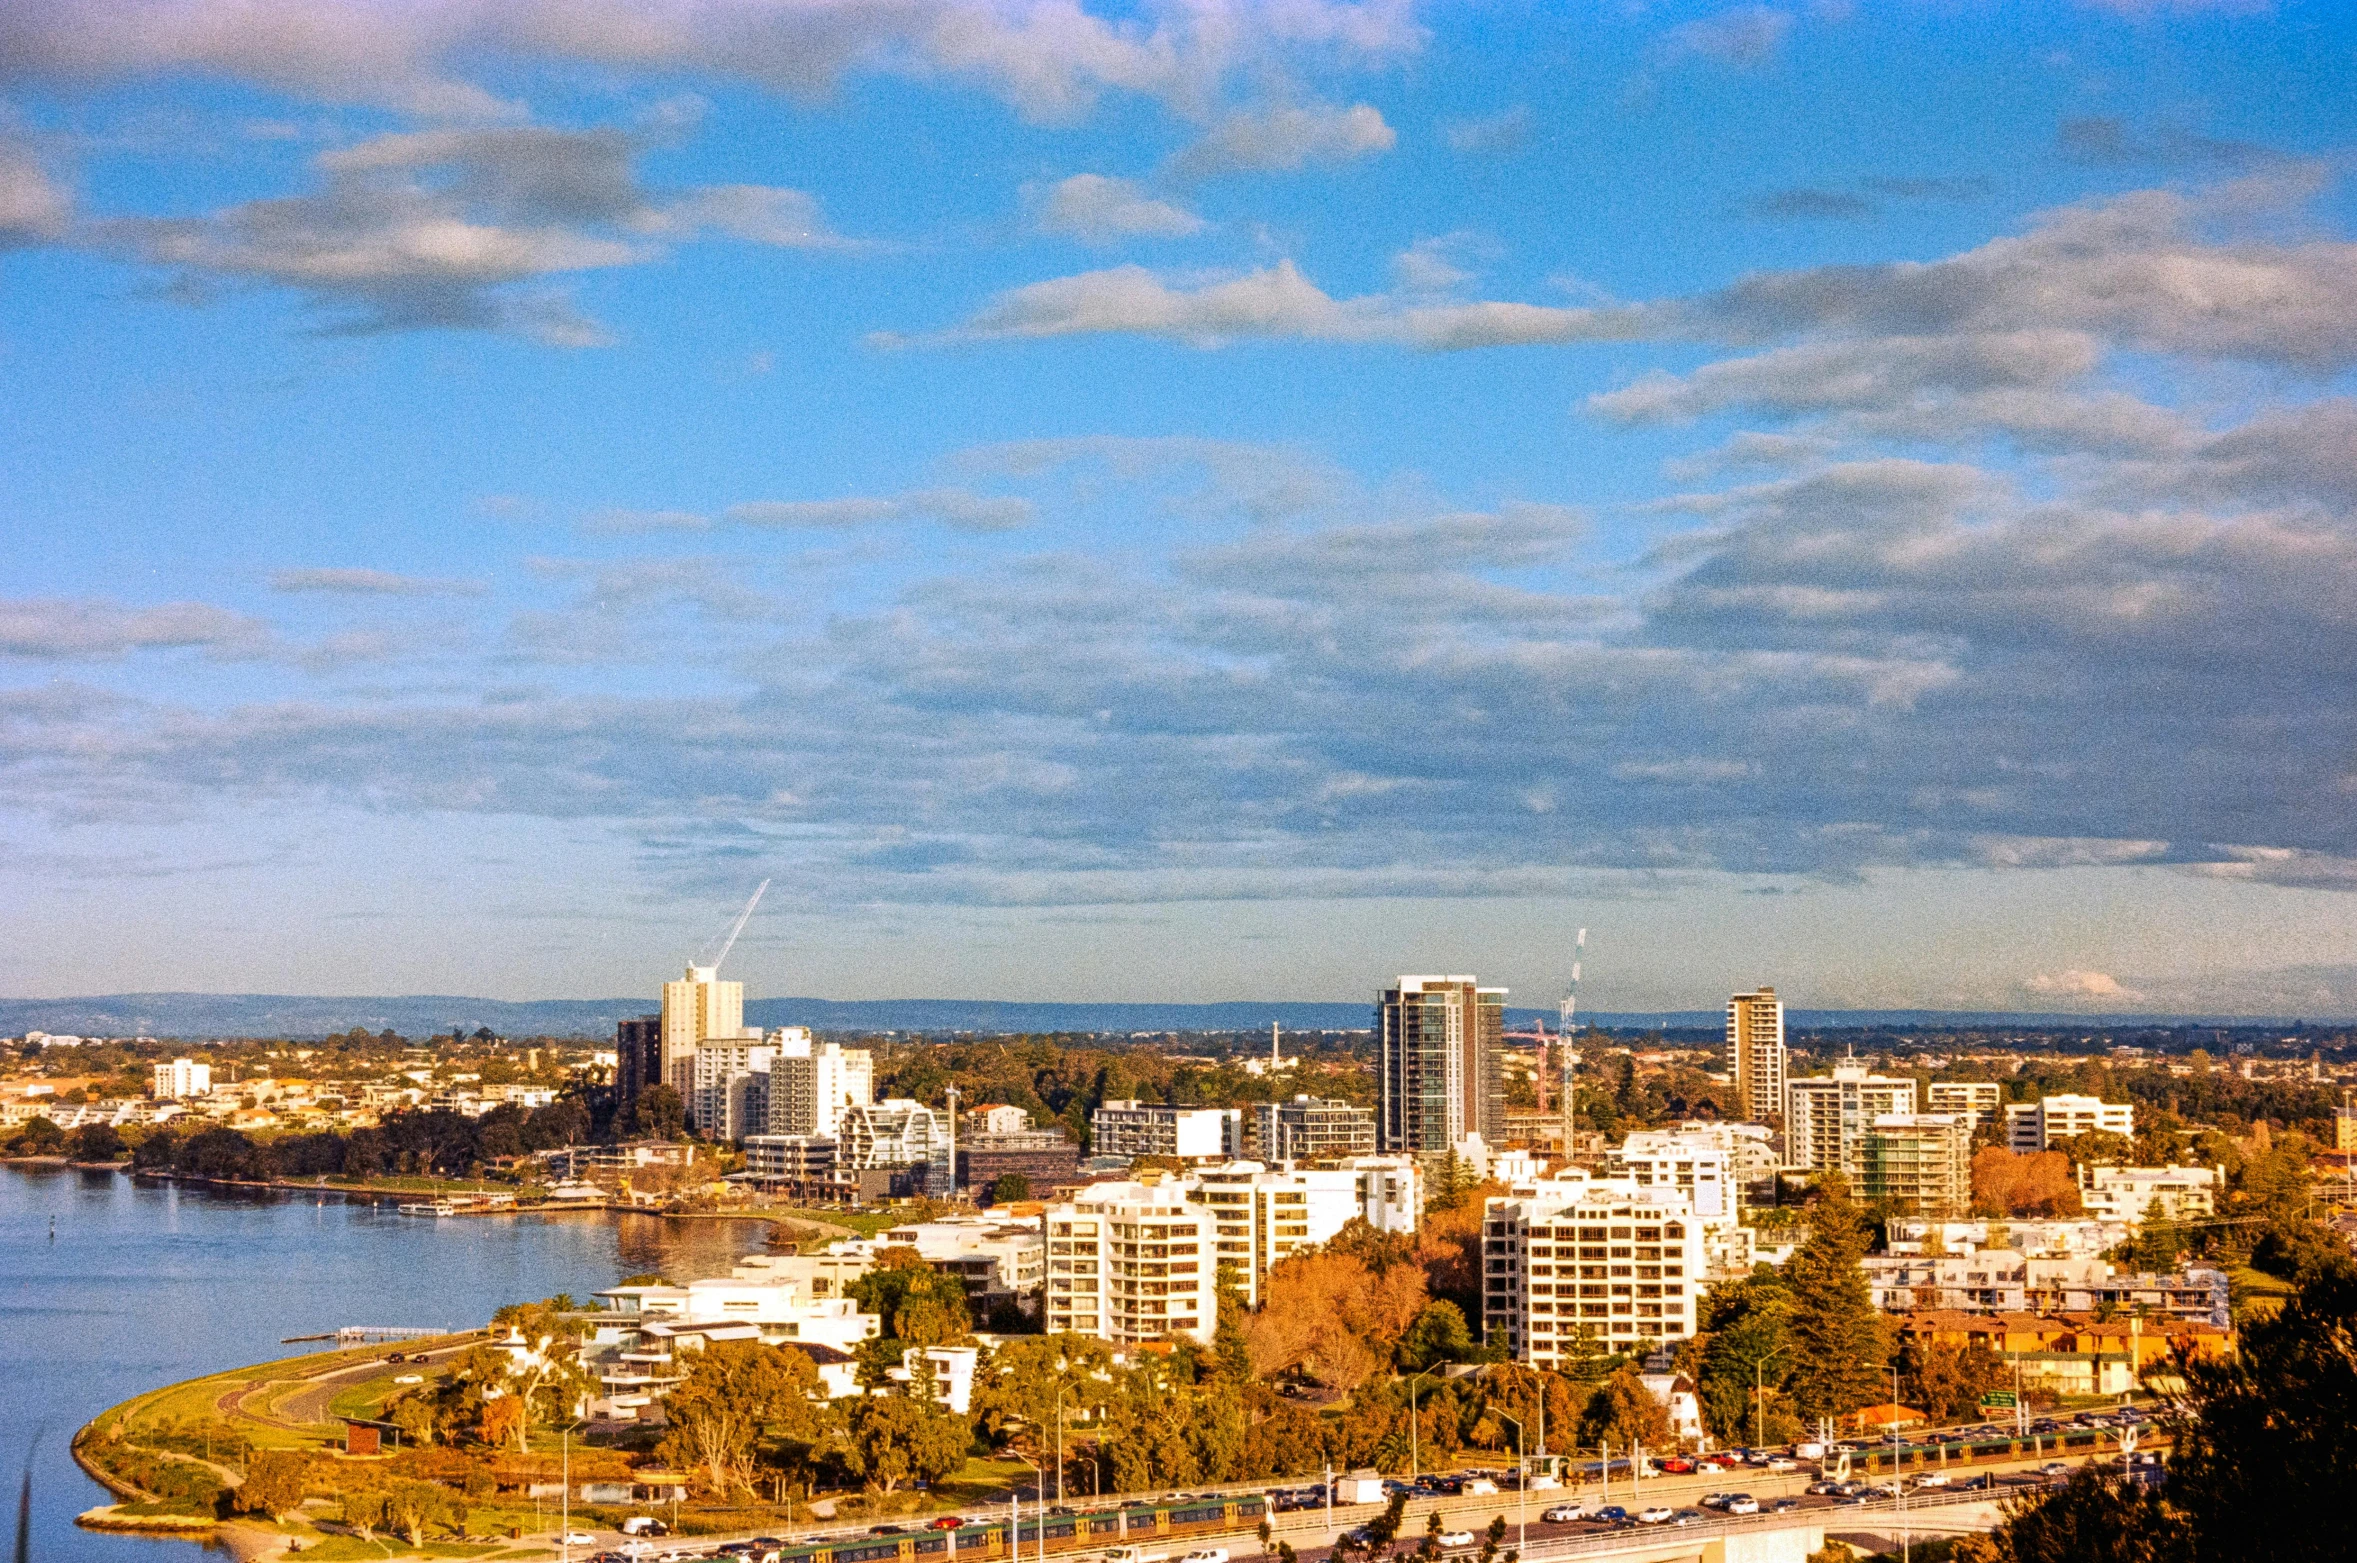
[1182, 501]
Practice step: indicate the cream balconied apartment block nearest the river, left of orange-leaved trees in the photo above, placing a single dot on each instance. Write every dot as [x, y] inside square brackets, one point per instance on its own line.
[1130, 1265]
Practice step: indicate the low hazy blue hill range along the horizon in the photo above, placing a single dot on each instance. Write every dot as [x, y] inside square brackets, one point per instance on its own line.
[265, 1015]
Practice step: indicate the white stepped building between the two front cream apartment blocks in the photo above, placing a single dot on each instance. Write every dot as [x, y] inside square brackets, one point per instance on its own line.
[1269, 1215]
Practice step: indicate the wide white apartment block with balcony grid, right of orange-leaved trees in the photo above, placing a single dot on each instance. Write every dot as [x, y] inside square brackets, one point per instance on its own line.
[1602, 1260]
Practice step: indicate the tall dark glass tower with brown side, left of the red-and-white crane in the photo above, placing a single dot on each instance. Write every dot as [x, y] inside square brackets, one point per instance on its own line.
[1439, 1053]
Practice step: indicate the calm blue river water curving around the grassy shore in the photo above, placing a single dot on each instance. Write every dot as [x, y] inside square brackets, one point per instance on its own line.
[147, 1284]
